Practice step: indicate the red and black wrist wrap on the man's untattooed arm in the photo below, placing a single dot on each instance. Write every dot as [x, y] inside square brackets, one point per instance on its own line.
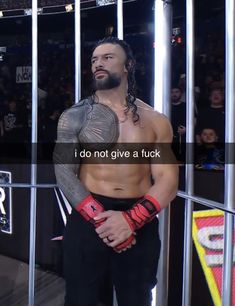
[142, 212]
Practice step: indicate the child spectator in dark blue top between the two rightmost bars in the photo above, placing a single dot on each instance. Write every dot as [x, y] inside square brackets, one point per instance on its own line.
[209, 155]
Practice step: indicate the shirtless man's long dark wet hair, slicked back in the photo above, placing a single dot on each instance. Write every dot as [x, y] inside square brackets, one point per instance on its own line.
[130, 66]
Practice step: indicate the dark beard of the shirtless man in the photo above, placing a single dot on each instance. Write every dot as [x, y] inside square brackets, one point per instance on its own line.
[112, 80]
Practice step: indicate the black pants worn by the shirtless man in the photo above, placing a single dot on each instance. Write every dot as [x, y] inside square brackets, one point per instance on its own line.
[88, 261]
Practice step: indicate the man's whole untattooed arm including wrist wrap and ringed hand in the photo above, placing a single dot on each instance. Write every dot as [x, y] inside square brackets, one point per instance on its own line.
[158, 197]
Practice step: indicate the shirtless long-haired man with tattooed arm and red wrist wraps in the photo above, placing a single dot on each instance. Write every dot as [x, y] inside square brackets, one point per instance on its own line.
[113, 229]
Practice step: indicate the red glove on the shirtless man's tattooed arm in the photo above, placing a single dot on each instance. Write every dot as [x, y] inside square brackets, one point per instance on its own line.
[90, 208]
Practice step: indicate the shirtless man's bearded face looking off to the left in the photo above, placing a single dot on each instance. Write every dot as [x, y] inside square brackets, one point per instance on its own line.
[108, 66]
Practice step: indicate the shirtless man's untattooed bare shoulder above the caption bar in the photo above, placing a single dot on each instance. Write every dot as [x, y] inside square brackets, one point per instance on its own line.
[159, 122]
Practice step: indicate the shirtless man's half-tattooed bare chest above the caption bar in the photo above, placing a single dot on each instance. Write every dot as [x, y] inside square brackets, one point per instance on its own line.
[106, 125]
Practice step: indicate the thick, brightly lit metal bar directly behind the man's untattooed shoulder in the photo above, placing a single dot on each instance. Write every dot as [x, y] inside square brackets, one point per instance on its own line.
[162, 85]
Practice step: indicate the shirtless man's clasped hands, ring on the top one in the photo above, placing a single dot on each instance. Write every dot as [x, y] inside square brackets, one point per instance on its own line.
[114, 230]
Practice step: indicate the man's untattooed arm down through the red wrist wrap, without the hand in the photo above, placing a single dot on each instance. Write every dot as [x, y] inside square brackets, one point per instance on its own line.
[164, 172]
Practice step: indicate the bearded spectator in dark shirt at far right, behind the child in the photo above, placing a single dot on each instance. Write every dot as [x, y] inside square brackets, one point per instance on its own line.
[212, 117]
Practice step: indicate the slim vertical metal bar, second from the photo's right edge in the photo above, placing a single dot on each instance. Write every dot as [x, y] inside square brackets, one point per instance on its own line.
[189, 175]
